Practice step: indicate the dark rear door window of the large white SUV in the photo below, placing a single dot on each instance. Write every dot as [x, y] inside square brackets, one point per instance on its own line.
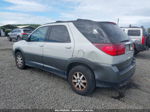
[59, 33]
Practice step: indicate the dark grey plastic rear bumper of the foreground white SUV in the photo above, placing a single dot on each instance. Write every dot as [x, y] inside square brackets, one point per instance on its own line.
[111, 76]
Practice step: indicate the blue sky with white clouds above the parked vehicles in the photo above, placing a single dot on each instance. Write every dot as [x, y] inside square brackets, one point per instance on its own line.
[134, 12]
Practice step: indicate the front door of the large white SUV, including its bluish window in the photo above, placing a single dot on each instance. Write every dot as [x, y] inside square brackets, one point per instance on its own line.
[34, 49]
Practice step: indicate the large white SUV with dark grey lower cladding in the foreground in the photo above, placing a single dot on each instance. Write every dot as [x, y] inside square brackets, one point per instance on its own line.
[87, 53]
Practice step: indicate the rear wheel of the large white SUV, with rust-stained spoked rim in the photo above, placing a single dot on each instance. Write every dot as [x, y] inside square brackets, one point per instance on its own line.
[86, 84]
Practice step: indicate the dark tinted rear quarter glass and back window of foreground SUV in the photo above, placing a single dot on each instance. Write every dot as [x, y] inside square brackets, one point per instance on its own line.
[101, 32]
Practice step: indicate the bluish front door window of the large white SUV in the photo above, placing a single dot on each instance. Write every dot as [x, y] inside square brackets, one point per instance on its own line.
[39, 34]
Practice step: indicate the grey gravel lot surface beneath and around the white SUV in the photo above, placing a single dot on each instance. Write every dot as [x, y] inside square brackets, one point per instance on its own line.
[34, 88]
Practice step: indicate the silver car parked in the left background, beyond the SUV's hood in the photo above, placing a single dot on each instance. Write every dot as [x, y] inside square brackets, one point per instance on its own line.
[19, 34]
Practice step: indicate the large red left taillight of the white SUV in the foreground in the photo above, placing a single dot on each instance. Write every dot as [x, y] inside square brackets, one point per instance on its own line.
[111, 49]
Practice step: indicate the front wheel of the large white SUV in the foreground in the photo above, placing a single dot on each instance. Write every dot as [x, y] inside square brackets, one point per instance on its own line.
[20, 61]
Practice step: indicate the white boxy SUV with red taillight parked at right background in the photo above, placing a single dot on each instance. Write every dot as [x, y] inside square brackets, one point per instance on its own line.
[138, 36]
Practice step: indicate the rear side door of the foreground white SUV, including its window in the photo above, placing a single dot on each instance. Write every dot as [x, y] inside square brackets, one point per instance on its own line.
[58, 48]
